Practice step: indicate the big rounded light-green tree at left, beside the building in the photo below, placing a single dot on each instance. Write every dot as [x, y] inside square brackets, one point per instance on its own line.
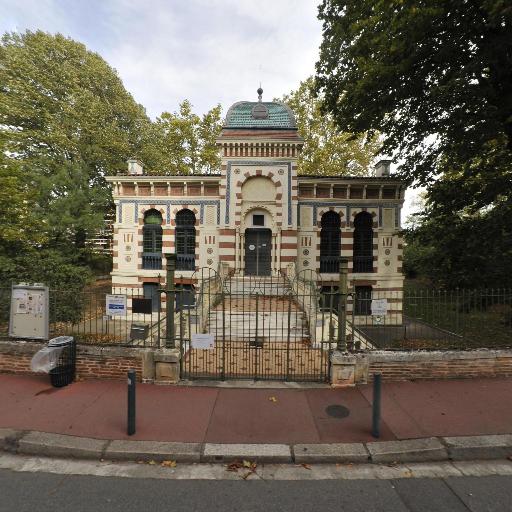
[66, 122]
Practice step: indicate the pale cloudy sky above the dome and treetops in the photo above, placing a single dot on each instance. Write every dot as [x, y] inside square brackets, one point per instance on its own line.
[206, 51]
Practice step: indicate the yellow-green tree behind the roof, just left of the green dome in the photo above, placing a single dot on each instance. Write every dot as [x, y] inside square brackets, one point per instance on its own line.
[187, 141]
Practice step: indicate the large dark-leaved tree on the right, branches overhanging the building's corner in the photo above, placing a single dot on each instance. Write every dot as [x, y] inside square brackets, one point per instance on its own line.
[435, 77]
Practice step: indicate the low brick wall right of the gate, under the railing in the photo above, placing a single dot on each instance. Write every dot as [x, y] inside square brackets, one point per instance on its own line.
[440, 365]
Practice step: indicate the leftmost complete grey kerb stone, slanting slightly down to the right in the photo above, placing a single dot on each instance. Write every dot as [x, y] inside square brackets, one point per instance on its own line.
[58, 445]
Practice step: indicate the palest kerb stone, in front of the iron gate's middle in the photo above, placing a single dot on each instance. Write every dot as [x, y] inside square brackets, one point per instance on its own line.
[252, 452]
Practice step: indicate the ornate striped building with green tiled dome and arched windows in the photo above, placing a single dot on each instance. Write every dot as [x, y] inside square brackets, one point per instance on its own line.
[259, 220]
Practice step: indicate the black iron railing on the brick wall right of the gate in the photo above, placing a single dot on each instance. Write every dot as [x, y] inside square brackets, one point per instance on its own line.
[428, 319]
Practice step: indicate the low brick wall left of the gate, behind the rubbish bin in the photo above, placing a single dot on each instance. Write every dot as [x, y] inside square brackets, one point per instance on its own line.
[93, 362]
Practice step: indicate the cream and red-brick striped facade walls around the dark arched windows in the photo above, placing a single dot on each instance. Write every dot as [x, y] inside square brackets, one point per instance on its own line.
[258, 178]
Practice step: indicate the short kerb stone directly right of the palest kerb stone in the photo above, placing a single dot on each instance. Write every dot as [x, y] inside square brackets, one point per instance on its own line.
[339, 452]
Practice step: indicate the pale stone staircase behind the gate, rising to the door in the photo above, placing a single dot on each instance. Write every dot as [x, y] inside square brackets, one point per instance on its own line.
[258, 310]
